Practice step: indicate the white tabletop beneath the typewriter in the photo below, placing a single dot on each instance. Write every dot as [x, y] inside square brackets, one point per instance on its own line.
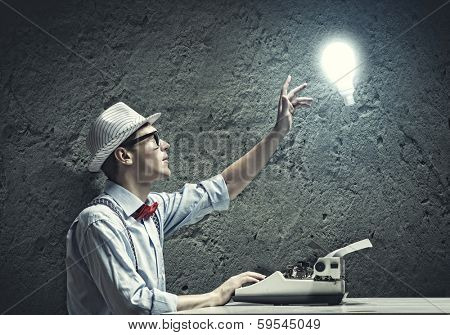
[349, 306]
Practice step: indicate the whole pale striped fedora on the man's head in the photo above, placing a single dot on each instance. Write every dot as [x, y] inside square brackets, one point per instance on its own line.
[110, 129]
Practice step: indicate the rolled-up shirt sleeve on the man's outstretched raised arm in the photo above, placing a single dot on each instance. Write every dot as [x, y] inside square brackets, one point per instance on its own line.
[191, 203]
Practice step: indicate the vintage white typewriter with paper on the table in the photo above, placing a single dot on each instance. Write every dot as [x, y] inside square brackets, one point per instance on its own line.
[302, 283]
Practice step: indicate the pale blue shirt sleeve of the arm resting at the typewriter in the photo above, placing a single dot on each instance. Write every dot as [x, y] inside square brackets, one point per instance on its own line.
[106, 251]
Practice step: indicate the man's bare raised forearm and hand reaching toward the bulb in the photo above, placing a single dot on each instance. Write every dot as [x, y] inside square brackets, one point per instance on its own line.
[239, 174]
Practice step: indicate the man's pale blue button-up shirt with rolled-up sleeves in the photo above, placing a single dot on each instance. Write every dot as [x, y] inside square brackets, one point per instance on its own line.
[101, 273]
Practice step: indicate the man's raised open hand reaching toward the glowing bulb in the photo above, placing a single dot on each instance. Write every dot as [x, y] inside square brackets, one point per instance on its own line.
[287, 104]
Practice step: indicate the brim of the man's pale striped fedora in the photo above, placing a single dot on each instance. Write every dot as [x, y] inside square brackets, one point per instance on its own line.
[100, 157]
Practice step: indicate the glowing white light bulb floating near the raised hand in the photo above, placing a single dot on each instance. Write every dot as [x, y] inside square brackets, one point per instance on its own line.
[339, 63]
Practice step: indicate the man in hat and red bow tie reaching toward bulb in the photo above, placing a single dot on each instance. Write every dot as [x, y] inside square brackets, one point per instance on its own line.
[114, 248]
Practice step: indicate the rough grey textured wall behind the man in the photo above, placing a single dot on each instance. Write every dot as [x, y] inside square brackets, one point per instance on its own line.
[379, 169]
